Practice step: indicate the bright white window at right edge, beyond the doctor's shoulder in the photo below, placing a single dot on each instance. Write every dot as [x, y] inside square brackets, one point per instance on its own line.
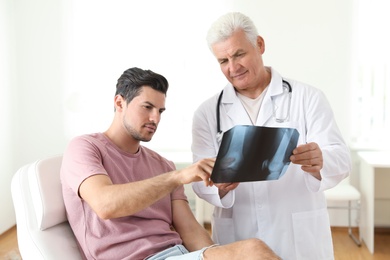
[371, 79]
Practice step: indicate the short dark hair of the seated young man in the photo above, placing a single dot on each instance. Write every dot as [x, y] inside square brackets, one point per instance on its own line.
[132, 80]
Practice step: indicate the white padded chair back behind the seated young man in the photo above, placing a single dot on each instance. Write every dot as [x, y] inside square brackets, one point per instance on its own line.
[42, 227]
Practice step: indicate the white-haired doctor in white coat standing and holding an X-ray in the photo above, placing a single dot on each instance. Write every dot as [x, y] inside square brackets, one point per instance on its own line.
[289, 214]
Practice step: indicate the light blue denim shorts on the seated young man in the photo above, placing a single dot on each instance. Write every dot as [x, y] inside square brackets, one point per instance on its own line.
[178, 252]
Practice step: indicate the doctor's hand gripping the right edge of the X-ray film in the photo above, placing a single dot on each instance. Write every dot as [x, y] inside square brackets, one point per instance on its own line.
[310, 157]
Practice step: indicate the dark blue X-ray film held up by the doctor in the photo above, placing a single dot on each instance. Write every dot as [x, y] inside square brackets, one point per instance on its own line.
[254, 153]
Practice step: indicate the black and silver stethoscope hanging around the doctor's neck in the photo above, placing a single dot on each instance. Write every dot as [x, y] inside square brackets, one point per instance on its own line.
[277, 112]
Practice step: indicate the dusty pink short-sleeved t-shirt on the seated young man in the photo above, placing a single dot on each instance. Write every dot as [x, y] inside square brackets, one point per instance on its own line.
[133, 237]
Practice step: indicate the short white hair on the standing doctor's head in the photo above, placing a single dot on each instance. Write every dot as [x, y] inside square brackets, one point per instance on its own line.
[227, 24]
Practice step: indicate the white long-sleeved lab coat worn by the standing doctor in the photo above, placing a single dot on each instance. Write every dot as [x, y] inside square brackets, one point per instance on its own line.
[288, 214]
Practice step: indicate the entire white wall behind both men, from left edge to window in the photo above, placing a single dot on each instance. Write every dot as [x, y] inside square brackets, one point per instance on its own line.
[64, 58]
